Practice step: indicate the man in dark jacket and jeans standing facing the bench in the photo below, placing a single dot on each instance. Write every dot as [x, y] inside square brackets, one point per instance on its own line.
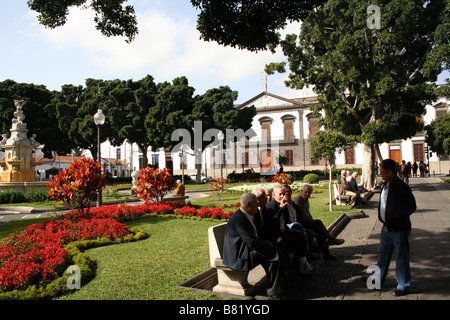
[397, 203]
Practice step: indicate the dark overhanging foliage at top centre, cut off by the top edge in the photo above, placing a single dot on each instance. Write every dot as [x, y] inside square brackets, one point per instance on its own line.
[249, 24]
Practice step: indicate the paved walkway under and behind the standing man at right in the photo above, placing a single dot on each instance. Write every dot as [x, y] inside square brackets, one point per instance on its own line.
[430, 253]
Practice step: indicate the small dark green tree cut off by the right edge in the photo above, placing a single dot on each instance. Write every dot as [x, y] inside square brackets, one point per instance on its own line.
[438, 135]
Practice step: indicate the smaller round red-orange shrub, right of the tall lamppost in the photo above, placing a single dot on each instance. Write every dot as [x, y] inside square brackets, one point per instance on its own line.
[154, 184]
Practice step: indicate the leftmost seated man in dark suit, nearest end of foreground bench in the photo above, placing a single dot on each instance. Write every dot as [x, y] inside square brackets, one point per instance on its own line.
[243, 249]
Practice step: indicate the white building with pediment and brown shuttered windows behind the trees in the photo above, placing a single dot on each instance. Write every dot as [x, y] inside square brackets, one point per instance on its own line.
[282, 126]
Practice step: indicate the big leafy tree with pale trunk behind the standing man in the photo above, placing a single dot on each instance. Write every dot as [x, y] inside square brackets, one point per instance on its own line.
[371, 69]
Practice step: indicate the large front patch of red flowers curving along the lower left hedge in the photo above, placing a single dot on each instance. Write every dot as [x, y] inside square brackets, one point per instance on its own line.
[36, 255]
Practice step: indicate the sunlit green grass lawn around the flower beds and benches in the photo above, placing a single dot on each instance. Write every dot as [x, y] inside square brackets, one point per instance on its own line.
[176, 250]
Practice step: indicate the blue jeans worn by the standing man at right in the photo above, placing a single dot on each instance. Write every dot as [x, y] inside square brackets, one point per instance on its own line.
[398, 240]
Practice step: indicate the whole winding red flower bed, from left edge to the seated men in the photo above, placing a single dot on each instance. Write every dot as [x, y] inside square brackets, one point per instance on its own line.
[37, 255]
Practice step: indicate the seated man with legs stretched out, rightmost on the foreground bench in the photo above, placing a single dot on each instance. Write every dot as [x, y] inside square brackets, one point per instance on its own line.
[324, 239]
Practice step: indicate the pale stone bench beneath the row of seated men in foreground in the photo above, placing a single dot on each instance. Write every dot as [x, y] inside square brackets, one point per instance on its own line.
[229, 281]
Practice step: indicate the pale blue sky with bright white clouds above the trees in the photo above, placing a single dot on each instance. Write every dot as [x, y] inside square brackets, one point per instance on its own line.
[167, 46]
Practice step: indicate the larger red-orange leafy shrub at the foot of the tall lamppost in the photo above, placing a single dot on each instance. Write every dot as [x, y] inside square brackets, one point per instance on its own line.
[78, 186]
